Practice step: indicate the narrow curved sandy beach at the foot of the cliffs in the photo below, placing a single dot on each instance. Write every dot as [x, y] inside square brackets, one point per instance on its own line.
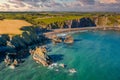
[69, 30]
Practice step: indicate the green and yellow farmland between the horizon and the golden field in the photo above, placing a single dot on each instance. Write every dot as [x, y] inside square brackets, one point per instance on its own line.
[43, 19]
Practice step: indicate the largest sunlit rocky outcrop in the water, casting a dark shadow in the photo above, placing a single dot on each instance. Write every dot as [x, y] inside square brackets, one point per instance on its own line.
[40, 56]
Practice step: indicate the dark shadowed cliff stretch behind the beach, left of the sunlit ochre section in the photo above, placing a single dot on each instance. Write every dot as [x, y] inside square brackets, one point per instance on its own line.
[76, 23]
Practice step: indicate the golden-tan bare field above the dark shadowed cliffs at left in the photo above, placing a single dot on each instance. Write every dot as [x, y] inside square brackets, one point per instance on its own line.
[12, 26]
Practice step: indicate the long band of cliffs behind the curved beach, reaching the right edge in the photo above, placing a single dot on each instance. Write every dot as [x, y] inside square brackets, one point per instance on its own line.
[99, 21]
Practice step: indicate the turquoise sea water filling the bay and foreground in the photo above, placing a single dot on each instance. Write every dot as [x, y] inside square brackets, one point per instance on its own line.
[94, 55]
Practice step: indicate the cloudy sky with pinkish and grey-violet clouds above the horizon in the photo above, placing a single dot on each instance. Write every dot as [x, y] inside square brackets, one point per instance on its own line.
[60, 5]
